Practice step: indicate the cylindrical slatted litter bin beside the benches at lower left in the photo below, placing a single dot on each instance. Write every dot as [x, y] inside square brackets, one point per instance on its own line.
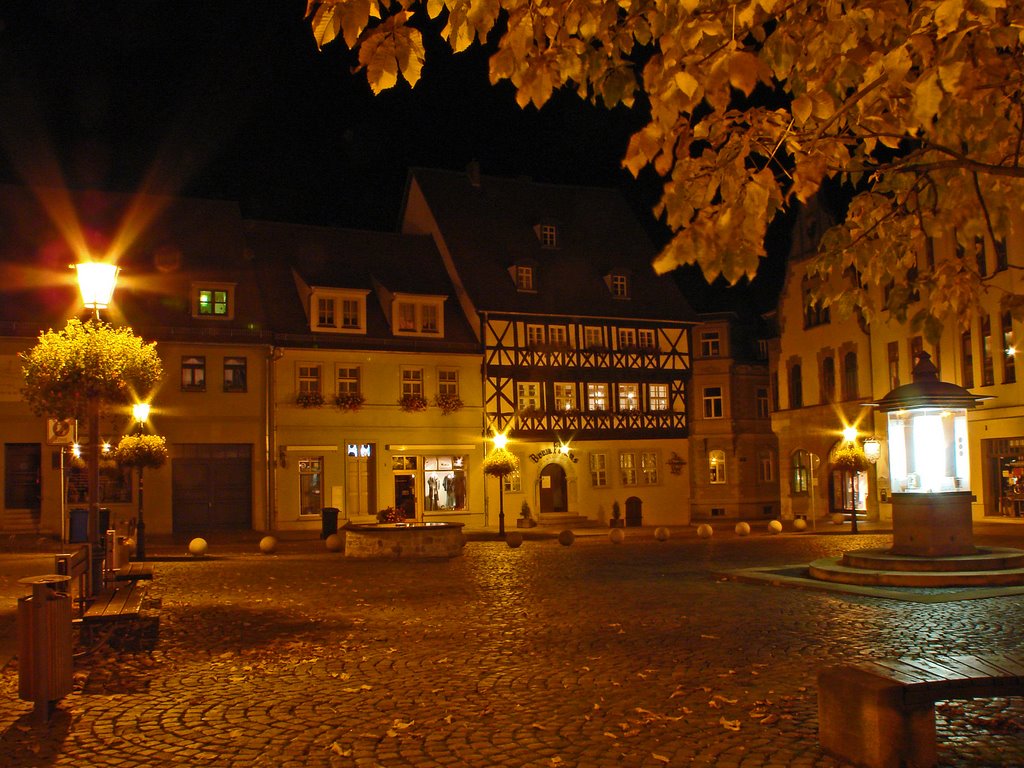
[45, 644]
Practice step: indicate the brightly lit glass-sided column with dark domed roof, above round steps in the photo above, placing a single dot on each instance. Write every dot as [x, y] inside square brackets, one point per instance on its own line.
[929, 464]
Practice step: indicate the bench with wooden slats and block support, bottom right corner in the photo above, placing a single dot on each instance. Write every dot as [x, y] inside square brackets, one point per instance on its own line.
[881, 714]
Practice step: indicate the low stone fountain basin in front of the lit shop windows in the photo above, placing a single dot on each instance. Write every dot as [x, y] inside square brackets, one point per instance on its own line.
[405, 540]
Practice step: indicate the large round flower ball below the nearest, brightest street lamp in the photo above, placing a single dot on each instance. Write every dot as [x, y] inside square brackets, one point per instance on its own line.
[92, 361]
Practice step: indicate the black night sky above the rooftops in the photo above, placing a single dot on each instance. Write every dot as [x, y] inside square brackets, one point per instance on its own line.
[233, 101]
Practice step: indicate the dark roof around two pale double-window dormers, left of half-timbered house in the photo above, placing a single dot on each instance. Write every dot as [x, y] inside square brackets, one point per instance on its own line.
[328, 258]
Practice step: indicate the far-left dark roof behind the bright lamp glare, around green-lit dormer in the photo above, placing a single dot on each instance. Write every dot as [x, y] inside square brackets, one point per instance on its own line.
[162, 244]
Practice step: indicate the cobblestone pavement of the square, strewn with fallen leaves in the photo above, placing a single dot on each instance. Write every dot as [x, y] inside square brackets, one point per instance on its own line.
[595, 655]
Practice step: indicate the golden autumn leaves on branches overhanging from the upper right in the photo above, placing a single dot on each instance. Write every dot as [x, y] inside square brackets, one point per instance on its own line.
[915, 106]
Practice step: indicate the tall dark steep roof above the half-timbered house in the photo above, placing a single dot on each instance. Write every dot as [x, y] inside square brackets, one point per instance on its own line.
[489, 224]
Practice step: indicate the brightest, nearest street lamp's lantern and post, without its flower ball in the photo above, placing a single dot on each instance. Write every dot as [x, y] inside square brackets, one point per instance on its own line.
[96, 282]
